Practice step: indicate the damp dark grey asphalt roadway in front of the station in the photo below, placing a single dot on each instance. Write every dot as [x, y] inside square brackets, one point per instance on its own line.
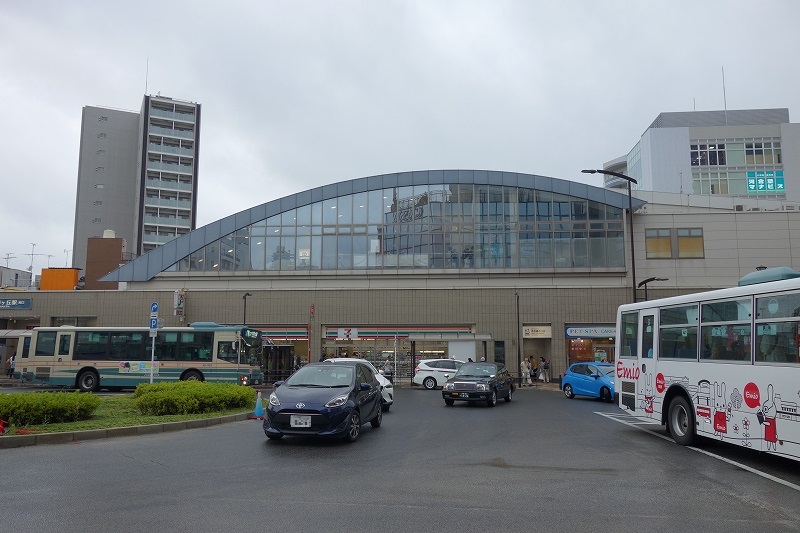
[539, 463]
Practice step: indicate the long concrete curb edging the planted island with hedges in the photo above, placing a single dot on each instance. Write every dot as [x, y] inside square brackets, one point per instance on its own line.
[17, 441]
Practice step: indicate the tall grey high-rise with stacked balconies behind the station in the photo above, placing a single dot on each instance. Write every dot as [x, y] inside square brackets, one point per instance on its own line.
[137, 174]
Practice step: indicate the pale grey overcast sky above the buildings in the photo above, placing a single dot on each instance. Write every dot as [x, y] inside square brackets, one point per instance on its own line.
[298, 94]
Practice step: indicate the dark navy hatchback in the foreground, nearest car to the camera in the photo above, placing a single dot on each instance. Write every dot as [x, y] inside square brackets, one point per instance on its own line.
[326, 399]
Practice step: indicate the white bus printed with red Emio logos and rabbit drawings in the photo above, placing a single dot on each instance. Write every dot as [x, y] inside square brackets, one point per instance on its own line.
[722, 364]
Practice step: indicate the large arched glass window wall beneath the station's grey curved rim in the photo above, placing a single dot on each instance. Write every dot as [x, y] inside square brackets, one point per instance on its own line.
[448, 226]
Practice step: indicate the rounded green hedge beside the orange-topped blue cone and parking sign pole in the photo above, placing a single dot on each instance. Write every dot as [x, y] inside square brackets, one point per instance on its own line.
[187, 397]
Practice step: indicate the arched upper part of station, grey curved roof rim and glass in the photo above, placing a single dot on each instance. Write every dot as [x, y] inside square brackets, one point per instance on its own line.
[433, 220]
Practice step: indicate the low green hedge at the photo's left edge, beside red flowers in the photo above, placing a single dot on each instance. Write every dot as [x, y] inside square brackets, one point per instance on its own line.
[32, 408]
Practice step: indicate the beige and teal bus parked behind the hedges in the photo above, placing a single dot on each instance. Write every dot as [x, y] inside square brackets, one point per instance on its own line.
[90, 358]
